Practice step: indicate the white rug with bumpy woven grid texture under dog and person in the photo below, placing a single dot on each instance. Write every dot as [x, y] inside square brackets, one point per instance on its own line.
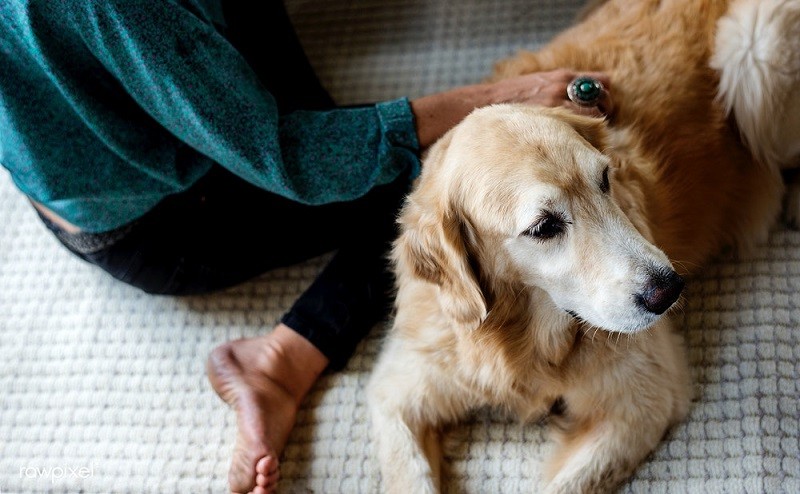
[102, 388]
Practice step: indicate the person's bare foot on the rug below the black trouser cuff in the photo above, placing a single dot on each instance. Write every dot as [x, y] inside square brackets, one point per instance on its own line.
[264, 380]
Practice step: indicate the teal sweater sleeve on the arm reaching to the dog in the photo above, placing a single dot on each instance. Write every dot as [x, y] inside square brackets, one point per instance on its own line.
[191, 80]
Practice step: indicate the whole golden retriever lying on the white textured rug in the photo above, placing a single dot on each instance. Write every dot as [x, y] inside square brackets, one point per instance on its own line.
[524, 282]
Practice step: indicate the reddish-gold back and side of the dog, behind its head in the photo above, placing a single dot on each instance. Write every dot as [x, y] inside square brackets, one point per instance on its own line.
[682, 167]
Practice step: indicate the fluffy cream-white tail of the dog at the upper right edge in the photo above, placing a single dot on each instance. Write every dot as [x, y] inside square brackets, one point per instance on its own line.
[757, 54]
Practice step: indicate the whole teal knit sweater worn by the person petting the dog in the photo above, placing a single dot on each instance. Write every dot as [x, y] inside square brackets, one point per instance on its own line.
[108, 106]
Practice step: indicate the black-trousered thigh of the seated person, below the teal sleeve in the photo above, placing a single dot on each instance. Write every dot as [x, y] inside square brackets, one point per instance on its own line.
[224, 231]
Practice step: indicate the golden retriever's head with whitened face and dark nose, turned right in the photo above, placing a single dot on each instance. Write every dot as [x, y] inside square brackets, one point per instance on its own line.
[522, 195]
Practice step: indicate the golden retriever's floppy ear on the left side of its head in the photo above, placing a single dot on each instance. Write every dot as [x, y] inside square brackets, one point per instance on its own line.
[432, 247]
